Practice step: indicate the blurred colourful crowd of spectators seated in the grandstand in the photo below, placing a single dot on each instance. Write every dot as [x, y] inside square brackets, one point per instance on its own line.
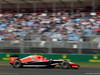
[55, 26]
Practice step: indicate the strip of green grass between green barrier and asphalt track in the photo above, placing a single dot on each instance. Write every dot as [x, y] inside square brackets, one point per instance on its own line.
[82, 64]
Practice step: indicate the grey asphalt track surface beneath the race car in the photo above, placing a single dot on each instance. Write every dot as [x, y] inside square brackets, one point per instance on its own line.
[9, 70]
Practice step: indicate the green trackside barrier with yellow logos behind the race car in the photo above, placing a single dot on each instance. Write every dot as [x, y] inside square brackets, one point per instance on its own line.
[71, 58]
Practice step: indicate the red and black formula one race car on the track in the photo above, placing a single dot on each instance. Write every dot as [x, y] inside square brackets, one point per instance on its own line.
[39, 60]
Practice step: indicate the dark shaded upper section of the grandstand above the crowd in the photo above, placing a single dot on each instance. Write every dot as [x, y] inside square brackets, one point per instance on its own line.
[43, 5]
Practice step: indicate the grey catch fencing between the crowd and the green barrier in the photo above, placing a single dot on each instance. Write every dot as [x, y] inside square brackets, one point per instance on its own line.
[85, 45]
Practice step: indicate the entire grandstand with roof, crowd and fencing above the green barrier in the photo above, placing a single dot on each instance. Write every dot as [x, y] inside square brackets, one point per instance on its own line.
[48, 26]
